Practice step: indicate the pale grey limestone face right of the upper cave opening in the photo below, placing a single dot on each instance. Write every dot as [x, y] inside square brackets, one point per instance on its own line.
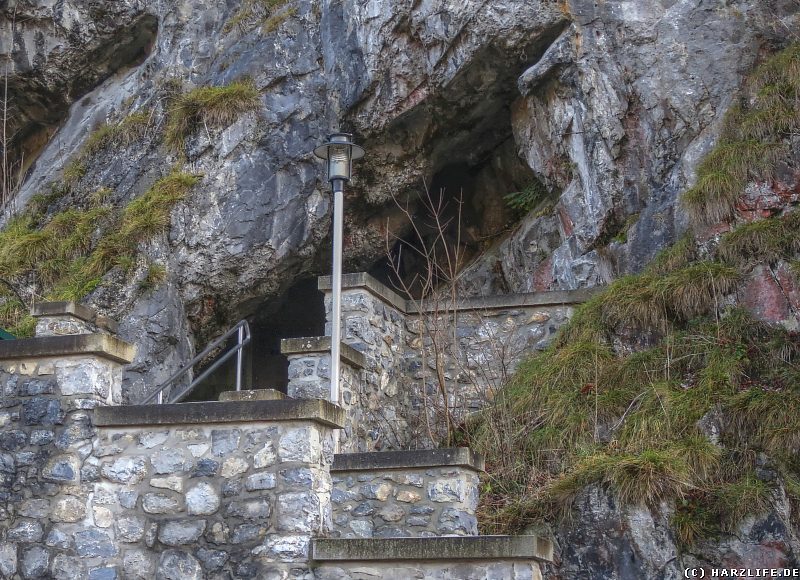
[616, 116]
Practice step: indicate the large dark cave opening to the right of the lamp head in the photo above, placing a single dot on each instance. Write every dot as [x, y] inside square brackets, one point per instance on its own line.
[460, 142]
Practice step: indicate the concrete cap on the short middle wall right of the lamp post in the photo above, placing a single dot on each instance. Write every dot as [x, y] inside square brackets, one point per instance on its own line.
[377, 460]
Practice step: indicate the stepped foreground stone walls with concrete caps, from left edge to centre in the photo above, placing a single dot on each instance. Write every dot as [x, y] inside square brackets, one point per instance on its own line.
[249, 487]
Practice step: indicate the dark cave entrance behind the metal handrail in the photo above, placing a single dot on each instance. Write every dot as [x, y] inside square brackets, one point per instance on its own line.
[298, 312]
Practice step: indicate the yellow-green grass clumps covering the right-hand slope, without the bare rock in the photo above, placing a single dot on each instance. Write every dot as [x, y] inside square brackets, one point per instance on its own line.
[619, 397]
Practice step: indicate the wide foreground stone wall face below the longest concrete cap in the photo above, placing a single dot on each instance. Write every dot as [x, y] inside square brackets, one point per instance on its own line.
[203, 501]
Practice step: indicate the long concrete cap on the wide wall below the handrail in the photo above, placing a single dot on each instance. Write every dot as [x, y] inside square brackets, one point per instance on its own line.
[315, 410]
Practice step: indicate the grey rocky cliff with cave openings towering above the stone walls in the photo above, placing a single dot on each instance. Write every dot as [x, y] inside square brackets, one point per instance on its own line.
[603, 108]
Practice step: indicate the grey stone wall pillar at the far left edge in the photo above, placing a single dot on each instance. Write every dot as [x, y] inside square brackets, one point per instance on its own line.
[46, 439]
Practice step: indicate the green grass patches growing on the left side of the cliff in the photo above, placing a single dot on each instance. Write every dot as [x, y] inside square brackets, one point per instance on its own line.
[64, 255]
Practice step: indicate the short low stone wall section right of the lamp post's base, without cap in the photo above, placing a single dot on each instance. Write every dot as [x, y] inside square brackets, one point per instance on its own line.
[405, 502]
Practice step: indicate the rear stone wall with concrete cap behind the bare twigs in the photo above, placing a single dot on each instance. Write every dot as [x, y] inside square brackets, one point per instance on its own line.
[477, 342]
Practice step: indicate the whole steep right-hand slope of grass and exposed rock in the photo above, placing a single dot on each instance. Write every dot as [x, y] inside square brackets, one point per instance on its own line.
[669, 395]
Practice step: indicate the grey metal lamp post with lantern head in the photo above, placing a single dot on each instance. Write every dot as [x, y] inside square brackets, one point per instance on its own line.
[339, 152]
